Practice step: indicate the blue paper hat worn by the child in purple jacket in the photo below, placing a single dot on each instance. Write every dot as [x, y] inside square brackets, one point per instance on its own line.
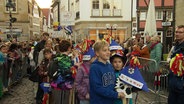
[89, 54]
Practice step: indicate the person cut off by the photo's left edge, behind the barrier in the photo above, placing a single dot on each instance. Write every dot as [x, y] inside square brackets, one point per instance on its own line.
[3, 51]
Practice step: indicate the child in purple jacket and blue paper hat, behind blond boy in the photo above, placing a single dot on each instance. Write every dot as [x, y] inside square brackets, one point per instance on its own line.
[82, 77]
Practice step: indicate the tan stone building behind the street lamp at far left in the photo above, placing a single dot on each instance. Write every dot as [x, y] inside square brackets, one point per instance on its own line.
[28, 19]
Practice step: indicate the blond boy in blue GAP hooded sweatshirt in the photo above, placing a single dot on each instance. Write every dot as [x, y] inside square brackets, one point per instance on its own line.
[102, 78]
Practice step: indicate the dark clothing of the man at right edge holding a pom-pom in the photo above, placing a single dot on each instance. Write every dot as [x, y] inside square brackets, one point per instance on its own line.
[176, 83]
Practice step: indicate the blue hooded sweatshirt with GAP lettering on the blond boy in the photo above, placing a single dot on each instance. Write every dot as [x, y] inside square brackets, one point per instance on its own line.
[102, 83]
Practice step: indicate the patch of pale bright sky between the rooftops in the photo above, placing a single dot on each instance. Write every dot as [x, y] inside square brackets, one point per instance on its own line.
[44, 3]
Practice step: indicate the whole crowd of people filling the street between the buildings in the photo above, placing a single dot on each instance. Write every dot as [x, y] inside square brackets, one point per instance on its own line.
[84, 72]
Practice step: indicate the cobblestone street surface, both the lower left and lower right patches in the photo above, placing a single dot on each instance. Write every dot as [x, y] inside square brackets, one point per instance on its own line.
[23, 93]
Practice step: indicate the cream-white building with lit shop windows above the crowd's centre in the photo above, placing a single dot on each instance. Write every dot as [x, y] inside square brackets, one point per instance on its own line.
[95, 19]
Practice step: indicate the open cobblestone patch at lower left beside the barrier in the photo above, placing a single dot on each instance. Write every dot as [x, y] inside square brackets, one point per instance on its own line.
[22, 93]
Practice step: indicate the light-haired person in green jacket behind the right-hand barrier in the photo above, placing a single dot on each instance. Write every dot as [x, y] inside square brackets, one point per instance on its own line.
[156, 52]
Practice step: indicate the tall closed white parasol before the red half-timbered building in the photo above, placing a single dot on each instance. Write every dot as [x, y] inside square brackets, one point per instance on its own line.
[150, 27]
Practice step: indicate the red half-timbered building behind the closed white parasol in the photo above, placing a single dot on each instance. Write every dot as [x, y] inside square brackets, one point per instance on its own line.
[164, 10]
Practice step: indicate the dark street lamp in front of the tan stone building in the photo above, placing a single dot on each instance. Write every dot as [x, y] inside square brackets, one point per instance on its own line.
[10, 6]
